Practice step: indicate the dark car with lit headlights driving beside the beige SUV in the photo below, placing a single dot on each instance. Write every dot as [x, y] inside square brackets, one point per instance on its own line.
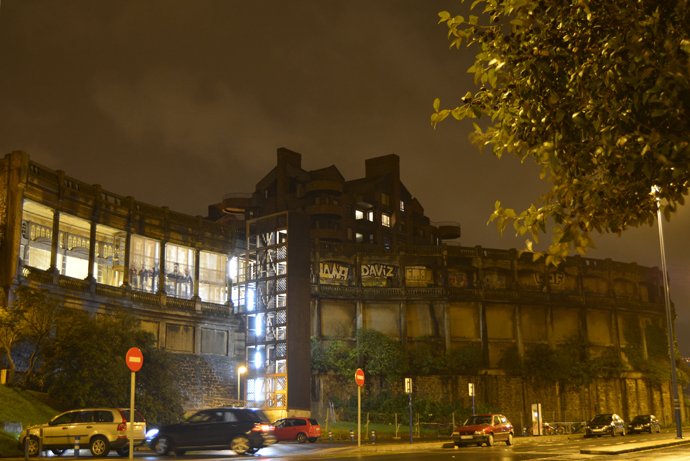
[242, 430]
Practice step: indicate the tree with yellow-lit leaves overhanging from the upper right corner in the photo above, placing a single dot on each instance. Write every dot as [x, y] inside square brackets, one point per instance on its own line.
[596, 92]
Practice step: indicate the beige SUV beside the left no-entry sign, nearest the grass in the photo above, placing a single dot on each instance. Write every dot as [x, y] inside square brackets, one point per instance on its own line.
[99, 429]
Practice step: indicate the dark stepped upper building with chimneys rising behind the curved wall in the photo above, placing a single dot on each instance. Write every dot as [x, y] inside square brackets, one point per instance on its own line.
[376, 209]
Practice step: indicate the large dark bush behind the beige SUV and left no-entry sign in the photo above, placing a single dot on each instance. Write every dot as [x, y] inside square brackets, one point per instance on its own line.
[85, 366]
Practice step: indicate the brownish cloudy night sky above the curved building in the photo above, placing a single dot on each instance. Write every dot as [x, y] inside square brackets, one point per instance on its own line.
[179, 102]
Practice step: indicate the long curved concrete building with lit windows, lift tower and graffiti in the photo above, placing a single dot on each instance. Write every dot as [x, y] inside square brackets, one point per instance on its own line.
[309, 254]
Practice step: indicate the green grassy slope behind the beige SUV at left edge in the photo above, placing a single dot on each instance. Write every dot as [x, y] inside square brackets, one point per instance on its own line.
[28, 407]
